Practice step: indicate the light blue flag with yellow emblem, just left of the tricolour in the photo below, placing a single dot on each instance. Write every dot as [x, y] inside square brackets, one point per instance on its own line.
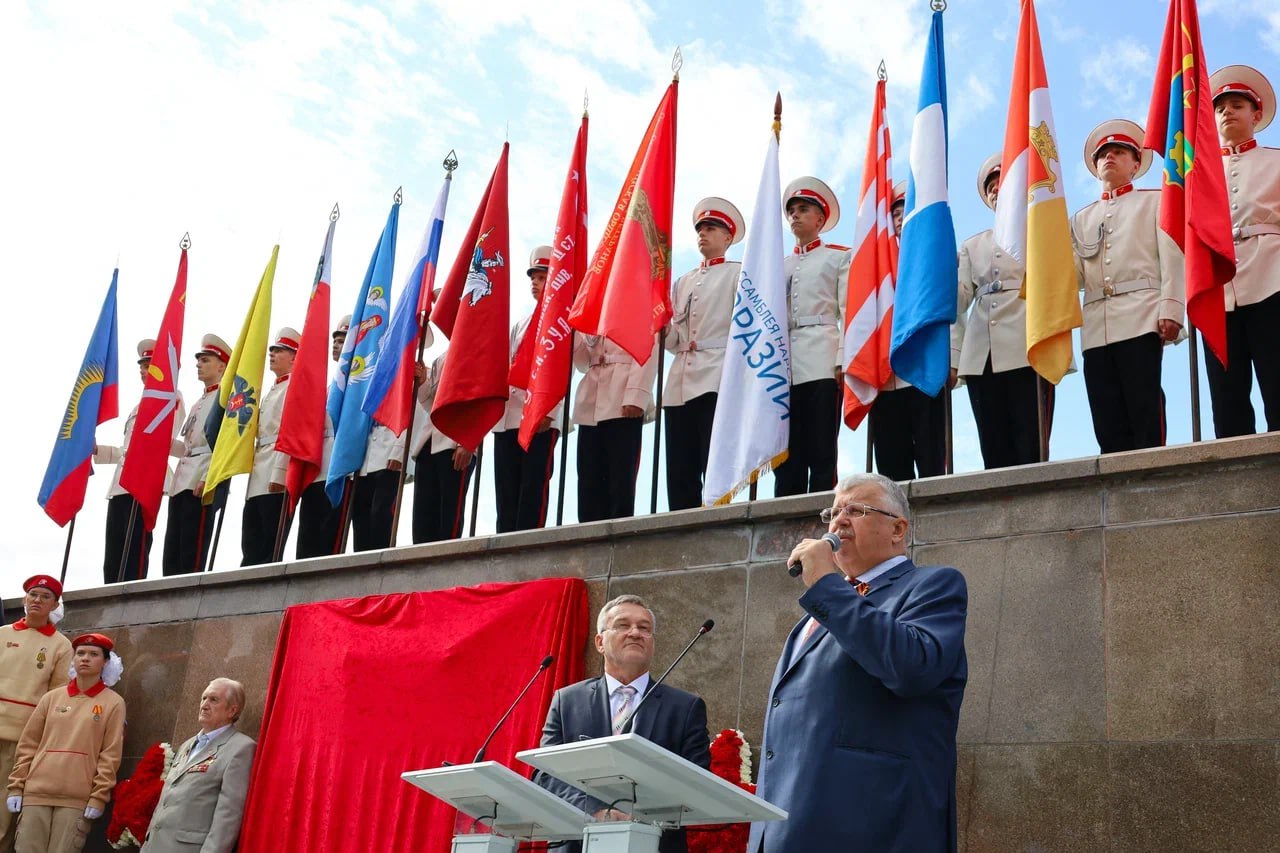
[359, 362]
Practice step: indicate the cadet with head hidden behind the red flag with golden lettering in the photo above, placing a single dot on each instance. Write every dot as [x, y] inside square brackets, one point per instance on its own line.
[612, 404]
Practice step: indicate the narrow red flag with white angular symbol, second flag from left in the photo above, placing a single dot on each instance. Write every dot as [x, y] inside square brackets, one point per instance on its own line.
[148, 462]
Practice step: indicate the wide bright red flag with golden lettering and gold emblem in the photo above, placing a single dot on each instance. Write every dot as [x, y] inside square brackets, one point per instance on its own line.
[627, 293]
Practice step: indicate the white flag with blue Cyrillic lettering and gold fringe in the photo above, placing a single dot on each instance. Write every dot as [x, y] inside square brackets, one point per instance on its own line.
[753, 414]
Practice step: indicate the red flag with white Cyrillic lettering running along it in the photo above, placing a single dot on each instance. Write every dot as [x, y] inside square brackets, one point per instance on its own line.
[546, 355]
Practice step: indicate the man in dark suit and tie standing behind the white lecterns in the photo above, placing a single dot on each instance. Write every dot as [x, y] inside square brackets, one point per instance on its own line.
[673, 719]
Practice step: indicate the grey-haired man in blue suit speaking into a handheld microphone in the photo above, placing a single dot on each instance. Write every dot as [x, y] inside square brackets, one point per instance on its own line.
[861, 732]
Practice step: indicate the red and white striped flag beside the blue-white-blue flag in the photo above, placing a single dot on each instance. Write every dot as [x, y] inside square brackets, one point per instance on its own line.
[872, 276]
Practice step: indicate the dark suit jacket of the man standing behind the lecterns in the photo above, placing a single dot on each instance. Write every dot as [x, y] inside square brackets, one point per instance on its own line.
[673, 719]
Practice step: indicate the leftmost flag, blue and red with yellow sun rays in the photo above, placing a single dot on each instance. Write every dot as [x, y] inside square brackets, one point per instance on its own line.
[95, 399]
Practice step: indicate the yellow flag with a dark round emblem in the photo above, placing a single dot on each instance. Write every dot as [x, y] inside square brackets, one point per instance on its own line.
[241, 394]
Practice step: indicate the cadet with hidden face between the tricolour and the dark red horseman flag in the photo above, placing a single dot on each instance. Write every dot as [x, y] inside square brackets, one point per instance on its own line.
[442, 468]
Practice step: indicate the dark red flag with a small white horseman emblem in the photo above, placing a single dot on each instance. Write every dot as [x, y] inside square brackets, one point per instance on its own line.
[473, 312]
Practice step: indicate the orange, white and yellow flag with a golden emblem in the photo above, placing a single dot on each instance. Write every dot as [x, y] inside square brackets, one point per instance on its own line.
[1031, 215]
